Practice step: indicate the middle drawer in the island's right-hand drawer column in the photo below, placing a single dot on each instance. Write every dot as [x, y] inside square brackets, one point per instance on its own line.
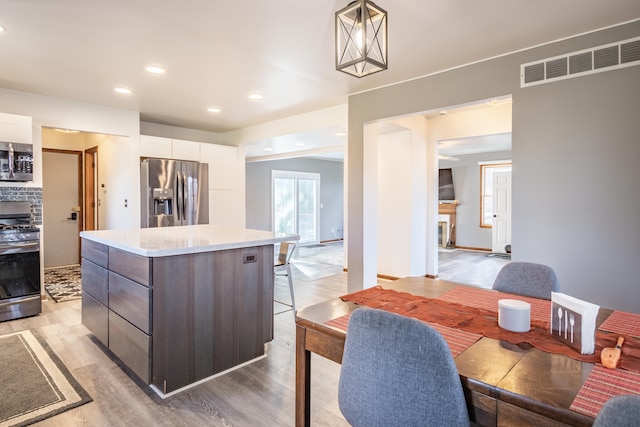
[130, 300]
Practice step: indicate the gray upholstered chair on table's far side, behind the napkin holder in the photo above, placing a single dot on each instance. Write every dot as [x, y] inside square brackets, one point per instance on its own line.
[527, 279]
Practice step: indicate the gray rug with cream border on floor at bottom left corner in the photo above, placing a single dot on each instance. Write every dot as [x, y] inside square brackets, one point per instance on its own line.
[35, 383]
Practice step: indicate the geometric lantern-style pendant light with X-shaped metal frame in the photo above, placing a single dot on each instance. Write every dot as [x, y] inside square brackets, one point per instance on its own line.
[361, 39]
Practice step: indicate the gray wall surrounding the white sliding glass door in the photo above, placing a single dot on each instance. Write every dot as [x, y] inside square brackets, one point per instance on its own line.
[258, 192]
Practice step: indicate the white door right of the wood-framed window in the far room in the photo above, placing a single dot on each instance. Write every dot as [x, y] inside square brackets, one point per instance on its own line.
[501, 225]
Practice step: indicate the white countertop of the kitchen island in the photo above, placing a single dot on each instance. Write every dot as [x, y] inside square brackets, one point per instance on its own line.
[188, 239]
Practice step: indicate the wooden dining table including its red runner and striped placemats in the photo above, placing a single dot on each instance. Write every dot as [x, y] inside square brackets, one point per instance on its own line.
[508, 378]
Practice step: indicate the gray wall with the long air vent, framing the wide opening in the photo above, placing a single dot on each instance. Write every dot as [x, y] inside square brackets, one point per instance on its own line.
[576, 156]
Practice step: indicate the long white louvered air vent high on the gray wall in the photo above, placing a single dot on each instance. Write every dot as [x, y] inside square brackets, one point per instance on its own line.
[589, 61]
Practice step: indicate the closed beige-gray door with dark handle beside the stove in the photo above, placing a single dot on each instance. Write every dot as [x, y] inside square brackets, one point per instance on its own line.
[61, 195]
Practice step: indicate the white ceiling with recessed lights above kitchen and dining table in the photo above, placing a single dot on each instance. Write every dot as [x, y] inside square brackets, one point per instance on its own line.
[218, 52]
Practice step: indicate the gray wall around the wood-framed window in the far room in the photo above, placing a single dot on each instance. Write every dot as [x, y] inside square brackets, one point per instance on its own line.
[466, 184]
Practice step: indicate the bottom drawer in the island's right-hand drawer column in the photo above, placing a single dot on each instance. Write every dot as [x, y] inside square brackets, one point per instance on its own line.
[131, 345]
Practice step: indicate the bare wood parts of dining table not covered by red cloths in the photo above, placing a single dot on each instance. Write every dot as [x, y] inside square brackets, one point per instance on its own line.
[504, 384]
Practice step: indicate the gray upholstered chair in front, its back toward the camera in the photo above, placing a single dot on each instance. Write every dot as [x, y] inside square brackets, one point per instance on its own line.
[398, 371]
